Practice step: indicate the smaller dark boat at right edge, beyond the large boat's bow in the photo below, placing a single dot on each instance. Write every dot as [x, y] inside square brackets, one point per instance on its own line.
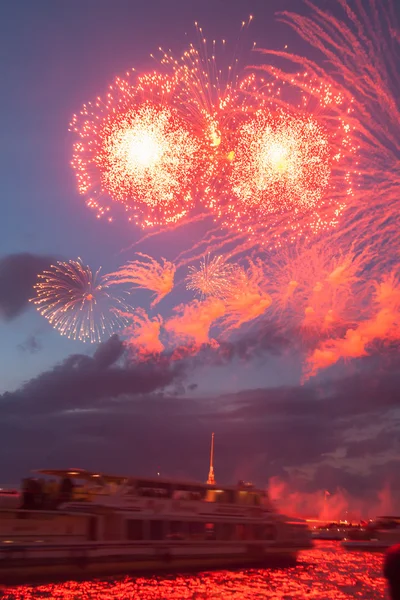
[377, 535]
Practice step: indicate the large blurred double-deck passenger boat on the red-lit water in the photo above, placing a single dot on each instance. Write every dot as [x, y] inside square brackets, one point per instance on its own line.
[83, 524]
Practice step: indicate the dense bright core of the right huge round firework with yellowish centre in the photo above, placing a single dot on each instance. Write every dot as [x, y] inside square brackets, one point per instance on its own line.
[282, 163]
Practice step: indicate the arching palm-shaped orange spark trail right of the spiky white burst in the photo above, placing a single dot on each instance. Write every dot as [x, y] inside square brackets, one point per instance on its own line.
[148, 274]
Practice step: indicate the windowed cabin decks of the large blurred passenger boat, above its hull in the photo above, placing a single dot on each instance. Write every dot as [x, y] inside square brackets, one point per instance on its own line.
[84, 506]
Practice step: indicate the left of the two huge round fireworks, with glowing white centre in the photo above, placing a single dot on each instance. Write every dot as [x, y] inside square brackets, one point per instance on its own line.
[135, 149]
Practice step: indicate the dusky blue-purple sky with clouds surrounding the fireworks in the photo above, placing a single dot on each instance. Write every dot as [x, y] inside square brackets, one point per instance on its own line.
[65, 403]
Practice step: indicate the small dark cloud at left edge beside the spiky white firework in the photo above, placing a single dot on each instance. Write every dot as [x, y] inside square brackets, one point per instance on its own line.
[18, 274]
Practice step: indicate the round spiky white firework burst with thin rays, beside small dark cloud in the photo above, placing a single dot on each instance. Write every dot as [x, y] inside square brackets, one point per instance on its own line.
[78, 302]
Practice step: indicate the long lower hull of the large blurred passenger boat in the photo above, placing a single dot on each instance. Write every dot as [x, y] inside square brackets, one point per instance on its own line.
[85, 560]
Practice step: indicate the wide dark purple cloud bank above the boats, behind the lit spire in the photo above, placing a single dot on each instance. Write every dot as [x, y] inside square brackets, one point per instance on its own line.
[101, 413]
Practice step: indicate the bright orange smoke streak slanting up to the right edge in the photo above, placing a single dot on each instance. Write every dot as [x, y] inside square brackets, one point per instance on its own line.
[383, 325]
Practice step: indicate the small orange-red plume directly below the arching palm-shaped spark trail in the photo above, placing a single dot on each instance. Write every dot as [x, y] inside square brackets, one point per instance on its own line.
[143, 334]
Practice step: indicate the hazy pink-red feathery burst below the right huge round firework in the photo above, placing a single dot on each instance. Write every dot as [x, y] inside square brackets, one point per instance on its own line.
[316, 286]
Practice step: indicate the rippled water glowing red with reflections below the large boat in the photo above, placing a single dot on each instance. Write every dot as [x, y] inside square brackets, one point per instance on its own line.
[326, 572]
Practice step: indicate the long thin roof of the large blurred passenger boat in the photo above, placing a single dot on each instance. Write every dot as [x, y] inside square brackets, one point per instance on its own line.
[153, 482]
